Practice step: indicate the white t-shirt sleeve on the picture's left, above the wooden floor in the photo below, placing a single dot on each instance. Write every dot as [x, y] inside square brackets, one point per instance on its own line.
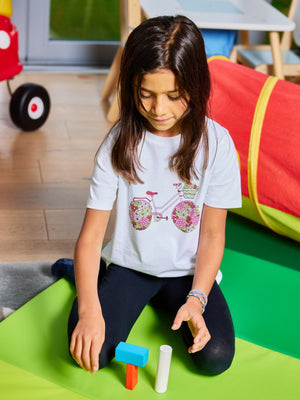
[104, 183]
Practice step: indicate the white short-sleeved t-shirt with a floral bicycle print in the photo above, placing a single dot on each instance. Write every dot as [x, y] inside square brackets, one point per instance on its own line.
[157, 222]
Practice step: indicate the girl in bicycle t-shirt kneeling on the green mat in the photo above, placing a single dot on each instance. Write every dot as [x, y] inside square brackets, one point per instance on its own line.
[173, 173]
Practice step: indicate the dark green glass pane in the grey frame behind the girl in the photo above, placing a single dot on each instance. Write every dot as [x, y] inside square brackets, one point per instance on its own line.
[85, 20]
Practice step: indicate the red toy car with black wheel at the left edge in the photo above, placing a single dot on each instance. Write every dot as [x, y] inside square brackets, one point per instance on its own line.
[30, 103]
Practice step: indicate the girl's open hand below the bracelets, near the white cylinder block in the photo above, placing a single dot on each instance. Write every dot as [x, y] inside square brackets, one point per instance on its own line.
[191, 312]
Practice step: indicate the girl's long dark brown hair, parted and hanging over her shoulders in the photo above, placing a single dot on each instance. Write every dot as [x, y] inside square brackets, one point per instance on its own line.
[173, 43]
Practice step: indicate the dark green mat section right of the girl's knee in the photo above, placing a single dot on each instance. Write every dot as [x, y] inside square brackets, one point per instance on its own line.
[264, 301]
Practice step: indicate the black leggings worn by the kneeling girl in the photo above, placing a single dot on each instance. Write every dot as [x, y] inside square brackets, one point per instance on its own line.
[123, 294]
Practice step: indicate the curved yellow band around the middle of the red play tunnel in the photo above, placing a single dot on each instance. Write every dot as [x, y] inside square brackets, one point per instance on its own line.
[254, 144]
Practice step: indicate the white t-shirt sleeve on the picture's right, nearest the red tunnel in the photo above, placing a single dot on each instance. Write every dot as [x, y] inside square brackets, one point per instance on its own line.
[224, 189]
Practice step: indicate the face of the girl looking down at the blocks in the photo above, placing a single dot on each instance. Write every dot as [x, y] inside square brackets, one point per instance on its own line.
[162, 106]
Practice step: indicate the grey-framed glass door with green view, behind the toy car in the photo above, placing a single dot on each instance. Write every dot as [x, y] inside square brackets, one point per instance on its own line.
[69, 32]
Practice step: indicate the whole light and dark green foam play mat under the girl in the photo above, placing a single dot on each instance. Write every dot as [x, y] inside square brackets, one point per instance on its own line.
[35, 350]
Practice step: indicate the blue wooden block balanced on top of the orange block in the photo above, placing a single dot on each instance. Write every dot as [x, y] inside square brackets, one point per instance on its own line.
[132, 354]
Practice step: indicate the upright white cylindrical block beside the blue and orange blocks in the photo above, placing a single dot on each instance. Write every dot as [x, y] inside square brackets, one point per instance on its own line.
[163, 368]
